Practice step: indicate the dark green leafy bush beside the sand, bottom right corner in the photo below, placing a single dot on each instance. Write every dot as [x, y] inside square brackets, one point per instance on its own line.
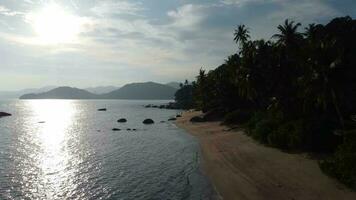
[342, 165]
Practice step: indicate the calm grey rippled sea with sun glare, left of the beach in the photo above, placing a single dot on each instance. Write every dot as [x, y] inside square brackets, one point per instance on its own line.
[66, 149]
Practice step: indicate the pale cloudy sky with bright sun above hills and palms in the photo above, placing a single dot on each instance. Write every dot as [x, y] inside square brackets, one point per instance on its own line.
[85, 43]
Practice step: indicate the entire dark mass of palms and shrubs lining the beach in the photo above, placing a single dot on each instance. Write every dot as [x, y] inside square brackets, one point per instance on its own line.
[296, 91]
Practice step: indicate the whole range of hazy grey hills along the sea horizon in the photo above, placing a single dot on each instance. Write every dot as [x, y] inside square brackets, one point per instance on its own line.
[147, 90]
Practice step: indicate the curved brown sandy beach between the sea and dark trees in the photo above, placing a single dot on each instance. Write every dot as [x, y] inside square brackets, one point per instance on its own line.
[240, 168]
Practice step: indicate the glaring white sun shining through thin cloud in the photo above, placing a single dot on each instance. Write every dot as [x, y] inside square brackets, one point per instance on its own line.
[53, 25]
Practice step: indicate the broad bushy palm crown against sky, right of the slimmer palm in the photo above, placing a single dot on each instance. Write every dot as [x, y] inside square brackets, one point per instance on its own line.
[289, 35]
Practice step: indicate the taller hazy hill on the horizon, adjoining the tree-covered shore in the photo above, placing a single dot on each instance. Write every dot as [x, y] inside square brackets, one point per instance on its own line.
[148, 90]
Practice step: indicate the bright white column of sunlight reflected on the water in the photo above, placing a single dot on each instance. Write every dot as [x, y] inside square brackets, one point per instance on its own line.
[56, 117]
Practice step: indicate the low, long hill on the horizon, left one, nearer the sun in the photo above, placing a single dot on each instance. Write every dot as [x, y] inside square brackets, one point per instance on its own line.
[62, 93]
